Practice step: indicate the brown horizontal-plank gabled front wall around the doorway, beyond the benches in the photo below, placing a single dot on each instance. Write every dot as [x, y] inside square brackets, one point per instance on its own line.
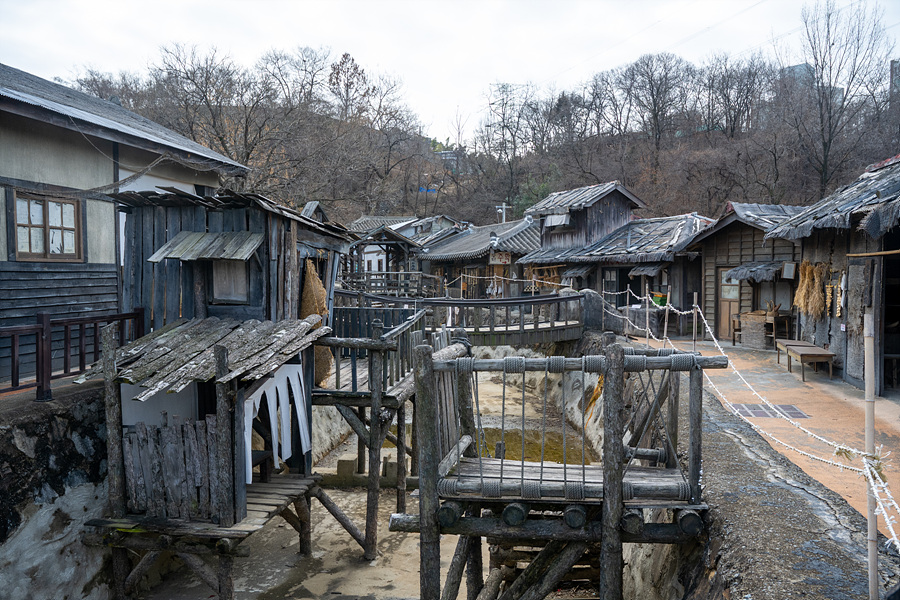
[733, 246]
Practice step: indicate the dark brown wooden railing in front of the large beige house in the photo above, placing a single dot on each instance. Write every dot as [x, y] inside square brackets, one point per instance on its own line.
[55, 348]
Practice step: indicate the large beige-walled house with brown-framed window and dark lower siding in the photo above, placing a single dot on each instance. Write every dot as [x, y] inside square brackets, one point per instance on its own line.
[60, 152]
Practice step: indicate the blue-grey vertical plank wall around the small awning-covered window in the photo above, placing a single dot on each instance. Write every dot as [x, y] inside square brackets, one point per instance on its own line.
[165, 289]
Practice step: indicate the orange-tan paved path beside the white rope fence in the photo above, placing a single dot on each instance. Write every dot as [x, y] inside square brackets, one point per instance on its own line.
[836, 411]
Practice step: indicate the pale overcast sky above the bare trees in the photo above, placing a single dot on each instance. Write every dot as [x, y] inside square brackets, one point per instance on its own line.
[446, 53]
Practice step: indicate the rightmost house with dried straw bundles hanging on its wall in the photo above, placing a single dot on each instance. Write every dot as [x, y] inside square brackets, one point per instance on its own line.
[852, 240]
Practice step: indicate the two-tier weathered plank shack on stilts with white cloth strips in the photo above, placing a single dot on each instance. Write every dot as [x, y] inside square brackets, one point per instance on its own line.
[232, 287]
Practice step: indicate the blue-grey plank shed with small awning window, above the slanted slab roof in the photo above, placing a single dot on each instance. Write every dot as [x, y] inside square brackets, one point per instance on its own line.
[229, 255]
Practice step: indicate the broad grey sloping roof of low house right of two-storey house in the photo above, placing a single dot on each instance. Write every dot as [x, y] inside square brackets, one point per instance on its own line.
[645, 240]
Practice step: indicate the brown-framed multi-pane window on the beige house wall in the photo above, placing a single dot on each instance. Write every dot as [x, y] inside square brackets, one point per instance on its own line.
[47, 229]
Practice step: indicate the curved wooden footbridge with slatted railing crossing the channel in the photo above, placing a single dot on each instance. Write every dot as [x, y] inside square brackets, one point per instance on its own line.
[521, 321]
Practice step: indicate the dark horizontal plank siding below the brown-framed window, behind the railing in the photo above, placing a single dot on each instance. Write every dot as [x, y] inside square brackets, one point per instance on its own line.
[61, 289]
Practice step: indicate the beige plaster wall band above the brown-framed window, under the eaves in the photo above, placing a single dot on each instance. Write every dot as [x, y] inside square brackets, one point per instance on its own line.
[35, 151]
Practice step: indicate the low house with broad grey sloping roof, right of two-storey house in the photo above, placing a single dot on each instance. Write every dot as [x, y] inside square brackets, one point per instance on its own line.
[647, 254]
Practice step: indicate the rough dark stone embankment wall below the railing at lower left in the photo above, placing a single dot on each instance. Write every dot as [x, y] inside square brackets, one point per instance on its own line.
[52, 480]
